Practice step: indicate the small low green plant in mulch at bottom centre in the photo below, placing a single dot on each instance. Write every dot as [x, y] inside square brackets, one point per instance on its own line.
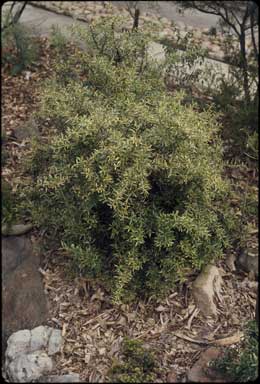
[138, 366]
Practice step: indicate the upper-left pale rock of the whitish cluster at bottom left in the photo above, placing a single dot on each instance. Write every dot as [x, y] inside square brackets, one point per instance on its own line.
[18, 343]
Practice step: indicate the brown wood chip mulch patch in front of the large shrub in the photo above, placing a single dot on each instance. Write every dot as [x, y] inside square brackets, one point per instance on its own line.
[173, 328]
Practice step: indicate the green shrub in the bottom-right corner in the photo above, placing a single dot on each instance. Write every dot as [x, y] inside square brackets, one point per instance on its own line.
[240, 364]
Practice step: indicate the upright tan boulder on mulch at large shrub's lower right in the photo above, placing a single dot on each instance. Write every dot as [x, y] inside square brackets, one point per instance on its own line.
[207, 286]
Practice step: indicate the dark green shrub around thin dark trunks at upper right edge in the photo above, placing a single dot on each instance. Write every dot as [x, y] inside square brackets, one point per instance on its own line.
[240, 117]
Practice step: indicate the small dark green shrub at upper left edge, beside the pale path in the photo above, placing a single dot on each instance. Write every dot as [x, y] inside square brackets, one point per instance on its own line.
[19, 48]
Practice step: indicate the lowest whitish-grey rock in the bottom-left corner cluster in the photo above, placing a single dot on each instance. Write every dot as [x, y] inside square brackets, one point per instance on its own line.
[28, 368]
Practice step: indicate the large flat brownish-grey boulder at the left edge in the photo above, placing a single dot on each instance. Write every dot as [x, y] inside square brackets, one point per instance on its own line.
[24, 304]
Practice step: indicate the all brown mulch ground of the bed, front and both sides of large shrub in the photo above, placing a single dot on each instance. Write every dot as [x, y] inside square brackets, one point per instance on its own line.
[93, 327]
